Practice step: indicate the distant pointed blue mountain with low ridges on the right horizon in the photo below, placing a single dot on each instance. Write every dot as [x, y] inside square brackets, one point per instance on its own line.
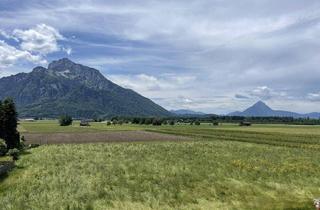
[260, 109]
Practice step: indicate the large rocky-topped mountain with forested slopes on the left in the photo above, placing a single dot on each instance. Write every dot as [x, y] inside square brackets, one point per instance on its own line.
[69, 88]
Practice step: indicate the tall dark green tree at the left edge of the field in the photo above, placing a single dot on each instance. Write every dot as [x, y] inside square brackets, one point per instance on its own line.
[9, 123]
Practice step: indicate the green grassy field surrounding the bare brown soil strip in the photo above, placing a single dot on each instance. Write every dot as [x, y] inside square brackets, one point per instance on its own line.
[225, 167]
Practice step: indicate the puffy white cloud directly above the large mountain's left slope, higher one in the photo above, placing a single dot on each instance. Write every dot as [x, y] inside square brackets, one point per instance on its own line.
[40, 39]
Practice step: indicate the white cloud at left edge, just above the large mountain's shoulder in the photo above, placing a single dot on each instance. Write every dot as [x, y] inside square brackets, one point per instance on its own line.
[9, 55]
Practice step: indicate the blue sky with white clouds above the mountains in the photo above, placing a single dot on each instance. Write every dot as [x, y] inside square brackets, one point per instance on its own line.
[214, 56]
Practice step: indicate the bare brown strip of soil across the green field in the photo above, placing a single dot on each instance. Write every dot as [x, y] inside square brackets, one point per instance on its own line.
[116, 136]
